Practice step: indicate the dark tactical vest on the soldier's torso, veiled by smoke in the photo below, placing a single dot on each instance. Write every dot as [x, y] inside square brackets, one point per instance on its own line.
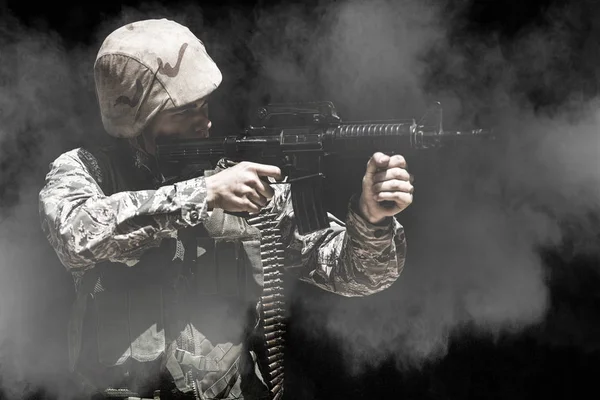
[190, 307]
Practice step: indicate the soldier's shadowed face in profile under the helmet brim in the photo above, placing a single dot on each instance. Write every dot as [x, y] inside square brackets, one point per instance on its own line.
[187, 121]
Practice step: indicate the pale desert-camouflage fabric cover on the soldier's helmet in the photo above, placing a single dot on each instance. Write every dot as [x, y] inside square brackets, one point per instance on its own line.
[147, 66]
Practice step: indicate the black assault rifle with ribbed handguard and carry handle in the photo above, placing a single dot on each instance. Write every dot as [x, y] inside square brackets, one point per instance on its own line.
[297, 138]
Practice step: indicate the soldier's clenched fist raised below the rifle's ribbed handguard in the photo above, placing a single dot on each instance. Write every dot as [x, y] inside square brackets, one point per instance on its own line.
[386, 187]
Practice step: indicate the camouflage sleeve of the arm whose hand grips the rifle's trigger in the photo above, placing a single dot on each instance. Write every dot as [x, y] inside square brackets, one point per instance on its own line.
[85, 227]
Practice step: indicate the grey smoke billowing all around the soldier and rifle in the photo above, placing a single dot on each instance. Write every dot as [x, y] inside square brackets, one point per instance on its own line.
[480, 216]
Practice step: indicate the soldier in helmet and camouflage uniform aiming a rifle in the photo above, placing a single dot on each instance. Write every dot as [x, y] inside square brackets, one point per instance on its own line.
[168, 281]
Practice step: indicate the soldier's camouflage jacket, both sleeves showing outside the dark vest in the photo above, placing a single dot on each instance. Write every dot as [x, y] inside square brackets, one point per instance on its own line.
[87, 227]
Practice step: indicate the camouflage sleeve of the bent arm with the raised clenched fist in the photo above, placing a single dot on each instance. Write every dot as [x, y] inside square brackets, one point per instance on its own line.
[355, 258]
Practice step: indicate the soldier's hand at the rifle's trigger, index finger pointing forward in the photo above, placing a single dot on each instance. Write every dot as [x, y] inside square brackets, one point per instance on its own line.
[240, 188]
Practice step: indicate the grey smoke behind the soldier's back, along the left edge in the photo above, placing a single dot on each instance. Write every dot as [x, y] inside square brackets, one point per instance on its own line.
[46, 107]
